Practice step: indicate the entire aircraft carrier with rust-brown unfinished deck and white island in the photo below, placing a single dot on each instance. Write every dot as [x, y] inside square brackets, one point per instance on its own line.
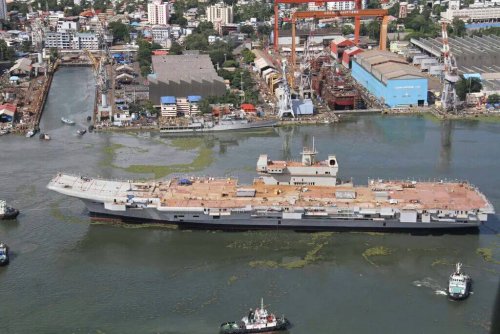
[297, 195]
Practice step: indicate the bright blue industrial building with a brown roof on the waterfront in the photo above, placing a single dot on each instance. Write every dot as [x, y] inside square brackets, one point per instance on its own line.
[389, 78]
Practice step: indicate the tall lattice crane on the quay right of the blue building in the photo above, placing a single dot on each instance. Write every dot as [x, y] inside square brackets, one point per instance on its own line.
[449, 100]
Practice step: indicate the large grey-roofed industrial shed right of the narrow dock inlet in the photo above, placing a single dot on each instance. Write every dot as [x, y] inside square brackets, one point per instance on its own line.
[183, 76]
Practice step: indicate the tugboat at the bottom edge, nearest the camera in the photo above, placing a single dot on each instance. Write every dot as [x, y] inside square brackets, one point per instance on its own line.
[258, 321]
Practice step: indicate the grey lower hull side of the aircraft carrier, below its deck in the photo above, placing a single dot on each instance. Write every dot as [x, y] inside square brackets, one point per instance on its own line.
[249, 221]
